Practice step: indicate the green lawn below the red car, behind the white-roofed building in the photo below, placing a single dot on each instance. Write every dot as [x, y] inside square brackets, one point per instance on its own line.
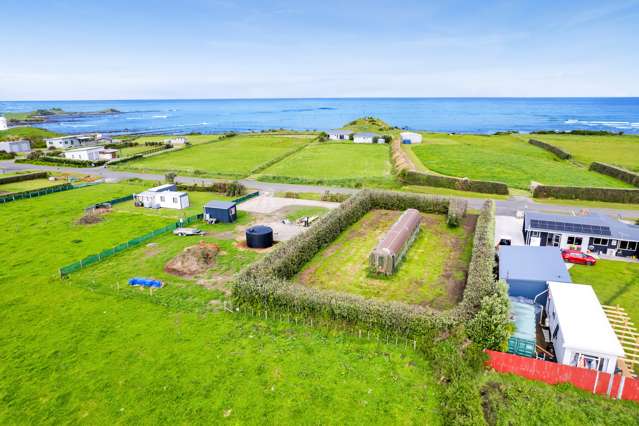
[616, 283]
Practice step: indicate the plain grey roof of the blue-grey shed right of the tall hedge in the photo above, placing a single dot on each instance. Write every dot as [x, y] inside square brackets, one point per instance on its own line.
[532, 263]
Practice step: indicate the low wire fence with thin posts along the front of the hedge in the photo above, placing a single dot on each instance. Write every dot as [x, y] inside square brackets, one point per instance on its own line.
[299, 318]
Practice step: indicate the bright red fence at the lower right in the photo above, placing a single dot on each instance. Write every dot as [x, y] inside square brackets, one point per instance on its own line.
[552, 373]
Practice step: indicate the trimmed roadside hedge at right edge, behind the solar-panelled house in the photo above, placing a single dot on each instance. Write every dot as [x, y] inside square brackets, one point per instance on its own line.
[611, 195]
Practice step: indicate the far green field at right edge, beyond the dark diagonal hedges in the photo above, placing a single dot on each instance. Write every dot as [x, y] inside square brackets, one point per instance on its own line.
[618, 150]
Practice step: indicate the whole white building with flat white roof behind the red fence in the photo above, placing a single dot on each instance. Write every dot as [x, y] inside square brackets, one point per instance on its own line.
[579, 328]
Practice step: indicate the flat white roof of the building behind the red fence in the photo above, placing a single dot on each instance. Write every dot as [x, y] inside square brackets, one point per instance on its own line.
[582, 320]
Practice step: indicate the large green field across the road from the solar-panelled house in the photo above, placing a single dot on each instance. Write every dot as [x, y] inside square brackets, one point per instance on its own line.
[505, 159]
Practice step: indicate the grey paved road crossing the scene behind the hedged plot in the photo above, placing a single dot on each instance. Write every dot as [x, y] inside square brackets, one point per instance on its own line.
[504, 207]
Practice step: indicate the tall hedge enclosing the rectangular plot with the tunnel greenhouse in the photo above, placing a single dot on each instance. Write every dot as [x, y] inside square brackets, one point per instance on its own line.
[266, 283]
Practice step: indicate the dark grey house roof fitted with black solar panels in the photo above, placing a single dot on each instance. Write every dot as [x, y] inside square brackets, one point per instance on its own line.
[593, 224]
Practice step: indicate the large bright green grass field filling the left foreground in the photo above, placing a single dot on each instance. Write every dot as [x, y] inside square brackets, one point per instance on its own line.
[90, 349]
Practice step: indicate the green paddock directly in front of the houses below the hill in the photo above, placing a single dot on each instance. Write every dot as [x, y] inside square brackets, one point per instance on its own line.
[335, 161]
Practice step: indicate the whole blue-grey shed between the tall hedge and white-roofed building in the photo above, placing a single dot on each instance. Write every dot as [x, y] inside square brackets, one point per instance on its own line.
[527, 270]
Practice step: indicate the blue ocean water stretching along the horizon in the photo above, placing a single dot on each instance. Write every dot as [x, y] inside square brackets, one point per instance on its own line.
[463, 115]
